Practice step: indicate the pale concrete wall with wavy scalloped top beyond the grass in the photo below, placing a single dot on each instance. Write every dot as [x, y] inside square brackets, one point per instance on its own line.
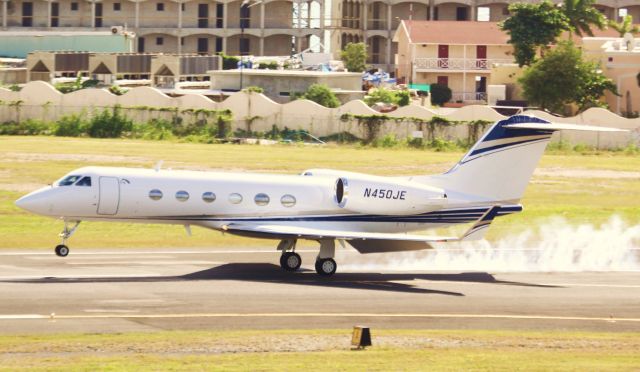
[255, 112]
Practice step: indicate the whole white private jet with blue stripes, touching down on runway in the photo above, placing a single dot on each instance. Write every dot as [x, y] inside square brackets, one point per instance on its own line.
[371, 213]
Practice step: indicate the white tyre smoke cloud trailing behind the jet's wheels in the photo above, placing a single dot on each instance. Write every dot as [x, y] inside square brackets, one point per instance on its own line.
[556, 246]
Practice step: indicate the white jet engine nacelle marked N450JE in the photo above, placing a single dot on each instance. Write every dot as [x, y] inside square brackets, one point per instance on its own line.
[381, 195]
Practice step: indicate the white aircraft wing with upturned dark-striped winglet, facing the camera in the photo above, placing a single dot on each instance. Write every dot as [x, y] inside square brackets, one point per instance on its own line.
[365, 242]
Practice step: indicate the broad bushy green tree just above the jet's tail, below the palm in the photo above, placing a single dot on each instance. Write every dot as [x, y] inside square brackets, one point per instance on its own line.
[563, 77]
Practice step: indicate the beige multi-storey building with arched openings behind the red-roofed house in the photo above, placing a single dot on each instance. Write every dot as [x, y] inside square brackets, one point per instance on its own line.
[376, 21]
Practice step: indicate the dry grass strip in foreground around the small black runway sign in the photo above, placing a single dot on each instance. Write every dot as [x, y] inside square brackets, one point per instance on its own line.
[393, 350]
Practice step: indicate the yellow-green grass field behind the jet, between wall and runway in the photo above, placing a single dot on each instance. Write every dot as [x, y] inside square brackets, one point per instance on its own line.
[582, 188]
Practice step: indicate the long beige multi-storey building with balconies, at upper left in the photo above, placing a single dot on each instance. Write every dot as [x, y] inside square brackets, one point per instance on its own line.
[257, 27]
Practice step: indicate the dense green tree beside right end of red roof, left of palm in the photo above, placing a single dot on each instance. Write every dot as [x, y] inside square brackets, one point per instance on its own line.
[533, 27]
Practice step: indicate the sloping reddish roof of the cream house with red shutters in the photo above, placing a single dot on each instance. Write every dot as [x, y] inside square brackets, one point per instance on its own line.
[456, 32]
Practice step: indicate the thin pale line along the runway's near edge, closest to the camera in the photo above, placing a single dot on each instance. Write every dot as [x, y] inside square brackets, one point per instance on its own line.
[313, 315]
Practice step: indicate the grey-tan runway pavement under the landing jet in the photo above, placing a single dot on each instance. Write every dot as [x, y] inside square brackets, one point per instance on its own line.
[112, 291]
